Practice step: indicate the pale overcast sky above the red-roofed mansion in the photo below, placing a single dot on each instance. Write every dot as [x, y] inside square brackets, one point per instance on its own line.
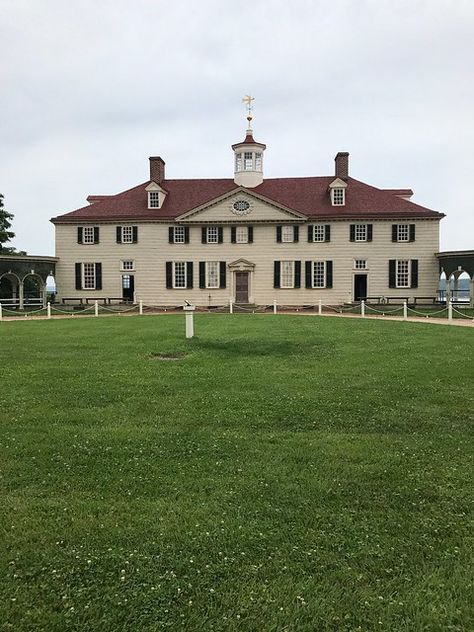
[91, 88]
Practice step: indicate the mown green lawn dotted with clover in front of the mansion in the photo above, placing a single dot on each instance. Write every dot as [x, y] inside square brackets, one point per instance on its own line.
[288, 473]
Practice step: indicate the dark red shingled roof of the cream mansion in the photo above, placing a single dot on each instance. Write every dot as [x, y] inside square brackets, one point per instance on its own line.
[308, 196]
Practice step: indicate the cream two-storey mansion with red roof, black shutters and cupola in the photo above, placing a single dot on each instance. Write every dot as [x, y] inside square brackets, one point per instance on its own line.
[248, 239]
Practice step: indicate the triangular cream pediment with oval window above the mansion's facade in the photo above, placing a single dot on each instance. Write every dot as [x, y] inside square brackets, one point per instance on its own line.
[241, 206]
